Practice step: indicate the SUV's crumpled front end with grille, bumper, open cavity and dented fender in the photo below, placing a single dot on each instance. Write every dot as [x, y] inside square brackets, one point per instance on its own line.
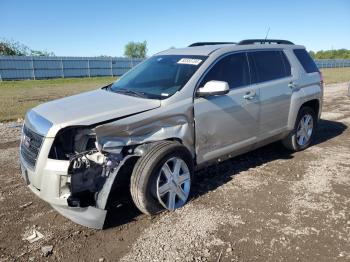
[74, 167]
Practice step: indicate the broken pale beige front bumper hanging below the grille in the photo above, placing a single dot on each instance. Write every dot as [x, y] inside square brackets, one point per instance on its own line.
[54, 173]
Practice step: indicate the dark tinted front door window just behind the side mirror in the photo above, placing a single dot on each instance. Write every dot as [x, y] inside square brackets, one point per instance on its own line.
[232, 69]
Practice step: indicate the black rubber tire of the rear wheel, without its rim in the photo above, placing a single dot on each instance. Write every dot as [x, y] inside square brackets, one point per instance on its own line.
[290, 142]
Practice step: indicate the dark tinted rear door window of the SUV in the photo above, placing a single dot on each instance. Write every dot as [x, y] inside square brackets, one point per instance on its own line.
[268, 65]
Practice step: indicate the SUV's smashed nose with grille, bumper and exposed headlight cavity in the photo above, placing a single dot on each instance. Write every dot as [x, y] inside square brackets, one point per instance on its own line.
[69, 172]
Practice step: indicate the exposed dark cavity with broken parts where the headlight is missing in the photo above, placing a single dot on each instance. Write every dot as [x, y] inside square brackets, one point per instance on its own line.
[89, 165]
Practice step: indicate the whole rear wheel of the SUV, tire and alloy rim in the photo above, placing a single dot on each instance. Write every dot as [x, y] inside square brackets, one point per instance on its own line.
[303, 132]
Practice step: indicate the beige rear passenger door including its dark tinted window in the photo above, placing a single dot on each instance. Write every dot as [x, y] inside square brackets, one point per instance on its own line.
[271, 72]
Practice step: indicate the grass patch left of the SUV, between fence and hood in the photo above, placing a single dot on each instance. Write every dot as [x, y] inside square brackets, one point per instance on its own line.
[19, 96]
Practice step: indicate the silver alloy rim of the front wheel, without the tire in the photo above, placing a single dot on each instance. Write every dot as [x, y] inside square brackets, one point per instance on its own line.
[173, 183]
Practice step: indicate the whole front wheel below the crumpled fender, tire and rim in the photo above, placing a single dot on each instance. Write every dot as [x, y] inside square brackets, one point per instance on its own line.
[162, 178]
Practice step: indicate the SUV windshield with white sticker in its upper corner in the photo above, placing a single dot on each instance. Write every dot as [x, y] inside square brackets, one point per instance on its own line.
[158, 77]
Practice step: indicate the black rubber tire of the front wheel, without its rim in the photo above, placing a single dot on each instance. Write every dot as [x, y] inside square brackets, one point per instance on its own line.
[146, 170]
